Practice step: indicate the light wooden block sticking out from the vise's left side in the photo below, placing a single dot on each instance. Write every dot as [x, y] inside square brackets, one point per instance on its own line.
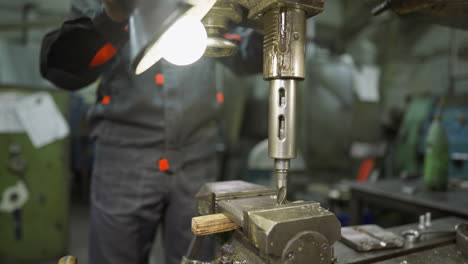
[212, 224]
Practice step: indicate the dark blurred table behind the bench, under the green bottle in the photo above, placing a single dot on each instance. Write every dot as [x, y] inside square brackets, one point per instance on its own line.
[406, 196]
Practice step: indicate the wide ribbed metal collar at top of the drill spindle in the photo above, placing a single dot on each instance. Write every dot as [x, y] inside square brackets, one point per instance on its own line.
[284, 43]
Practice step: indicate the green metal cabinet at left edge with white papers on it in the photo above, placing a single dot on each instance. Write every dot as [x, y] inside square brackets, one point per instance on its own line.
[34, 205]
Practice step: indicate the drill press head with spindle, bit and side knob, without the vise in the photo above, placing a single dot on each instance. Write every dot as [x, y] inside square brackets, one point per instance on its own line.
[284, 24]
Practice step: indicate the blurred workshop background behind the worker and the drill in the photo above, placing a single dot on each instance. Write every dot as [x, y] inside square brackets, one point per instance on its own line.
[372, 88]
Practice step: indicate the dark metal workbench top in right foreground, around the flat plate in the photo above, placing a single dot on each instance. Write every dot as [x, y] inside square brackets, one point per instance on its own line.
[434, 248]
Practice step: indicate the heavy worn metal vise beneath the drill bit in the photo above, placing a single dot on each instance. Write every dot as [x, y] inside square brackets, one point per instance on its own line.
[270, 233]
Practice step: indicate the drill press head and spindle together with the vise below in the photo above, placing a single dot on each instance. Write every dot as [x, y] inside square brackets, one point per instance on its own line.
[270, 231]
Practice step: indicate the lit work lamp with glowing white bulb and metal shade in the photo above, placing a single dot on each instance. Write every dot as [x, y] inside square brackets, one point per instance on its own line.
[169, 29]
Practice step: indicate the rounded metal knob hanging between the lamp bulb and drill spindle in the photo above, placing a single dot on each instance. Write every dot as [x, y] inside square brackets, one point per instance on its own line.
[217, 22]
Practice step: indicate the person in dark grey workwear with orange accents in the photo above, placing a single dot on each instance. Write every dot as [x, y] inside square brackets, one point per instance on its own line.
[155, 134]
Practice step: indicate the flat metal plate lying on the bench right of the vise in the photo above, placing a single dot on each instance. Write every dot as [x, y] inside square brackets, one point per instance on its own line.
[370, 237]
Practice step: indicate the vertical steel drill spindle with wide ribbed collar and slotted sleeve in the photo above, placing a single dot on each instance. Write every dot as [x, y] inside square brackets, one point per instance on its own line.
[284, 52]
